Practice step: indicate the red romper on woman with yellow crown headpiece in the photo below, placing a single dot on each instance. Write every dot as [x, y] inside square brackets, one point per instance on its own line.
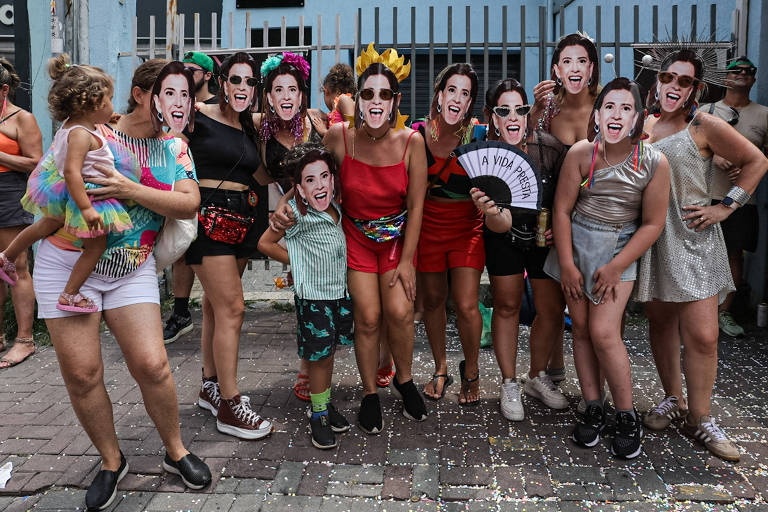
[371, 192]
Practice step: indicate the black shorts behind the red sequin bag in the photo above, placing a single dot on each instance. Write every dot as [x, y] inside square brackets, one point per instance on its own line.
[203, 246]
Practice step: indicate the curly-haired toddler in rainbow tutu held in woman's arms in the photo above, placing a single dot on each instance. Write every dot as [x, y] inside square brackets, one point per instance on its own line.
[80, 97]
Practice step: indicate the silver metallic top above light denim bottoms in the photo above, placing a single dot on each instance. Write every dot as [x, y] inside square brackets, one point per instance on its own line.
[616, 194]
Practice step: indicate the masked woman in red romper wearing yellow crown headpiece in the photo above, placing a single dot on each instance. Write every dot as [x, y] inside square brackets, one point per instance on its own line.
[383, 178]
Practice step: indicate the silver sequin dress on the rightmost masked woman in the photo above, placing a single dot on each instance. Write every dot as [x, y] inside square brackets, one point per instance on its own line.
[684, 265]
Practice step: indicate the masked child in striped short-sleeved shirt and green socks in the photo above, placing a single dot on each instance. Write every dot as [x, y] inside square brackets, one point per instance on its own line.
[317, 252]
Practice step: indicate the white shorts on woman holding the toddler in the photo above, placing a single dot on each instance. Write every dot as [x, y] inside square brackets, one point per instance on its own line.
[53, 267]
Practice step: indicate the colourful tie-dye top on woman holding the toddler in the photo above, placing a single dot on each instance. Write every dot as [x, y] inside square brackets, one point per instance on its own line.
[162, 162]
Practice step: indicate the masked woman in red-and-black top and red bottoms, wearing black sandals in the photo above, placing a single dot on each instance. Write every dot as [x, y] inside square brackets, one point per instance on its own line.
[452, 234]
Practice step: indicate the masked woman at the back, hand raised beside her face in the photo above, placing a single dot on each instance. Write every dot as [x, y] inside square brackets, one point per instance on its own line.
[561, 106]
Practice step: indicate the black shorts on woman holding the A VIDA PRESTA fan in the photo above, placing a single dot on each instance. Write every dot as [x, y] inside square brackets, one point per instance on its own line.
[505, 257]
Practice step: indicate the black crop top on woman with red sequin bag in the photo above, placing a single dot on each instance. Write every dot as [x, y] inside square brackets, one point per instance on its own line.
[218, 148]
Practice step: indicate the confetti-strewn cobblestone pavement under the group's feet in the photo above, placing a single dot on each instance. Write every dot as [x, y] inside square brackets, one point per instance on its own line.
[458, 459]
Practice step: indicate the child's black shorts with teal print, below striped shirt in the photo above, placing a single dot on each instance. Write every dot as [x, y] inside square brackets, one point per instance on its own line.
[321, 325]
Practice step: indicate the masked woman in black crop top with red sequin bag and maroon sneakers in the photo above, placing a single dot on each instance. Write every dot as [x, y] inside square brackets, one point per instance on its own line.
[224, 146]
